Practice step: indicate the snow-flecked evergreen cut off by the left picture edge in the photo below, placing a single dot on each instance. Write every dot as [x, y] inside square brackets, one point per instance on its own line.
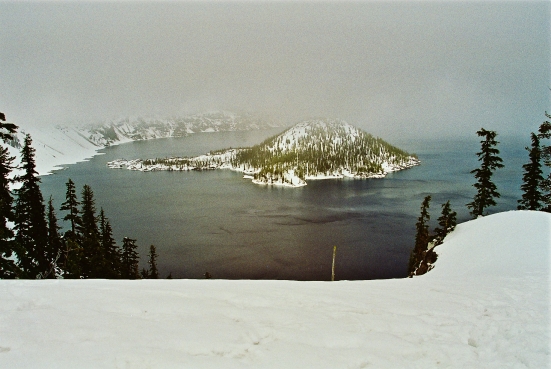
[8, 269]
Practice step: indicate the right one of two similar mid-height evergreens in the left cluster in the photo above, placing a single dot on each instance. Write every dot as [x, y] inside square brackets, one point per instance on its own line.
[92, 258]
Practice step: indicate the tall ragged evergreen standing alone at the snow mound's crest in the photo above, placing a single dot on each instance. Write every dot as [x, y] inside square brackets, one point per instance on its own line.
[490, 161]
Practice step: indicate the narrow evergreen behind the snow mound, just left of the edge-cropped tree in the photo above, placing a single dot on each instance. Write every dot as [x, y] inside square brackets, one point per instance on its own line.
[532, 197]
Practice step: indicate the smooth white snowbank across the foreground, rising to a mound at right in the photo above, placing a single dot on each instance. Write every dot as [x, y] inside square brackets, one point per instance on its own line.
[485, 305]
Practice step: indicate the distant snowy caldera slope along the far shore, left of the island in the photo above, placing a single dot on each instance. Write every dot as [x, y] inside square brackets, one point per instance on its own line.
[60, 145]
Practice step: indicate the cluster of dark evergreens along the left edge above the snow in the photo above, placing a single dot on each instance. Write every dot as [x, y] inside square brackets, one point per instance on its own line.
[31, 244]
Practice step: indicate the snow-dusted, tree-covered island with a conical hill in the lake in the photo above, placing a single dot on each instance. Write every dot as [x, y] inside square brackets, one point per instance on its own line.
[313, 149]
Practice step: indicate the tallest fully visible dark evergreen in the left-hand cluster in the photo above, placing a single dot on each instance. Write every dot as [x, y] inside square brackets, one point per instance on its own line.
[30, 218]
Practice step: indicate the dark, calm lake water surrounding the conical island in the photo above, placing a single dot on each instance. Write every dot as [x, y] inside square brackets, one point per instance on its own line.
[216, 221]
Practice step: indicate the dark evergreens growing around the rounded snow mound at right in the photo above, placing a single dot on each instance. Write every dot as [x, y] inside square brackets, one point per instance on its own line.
[536, 194]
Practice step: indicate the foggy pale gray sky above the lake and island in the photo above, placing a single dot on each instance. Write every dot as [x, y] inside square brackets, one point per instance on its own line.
[436, 68]
